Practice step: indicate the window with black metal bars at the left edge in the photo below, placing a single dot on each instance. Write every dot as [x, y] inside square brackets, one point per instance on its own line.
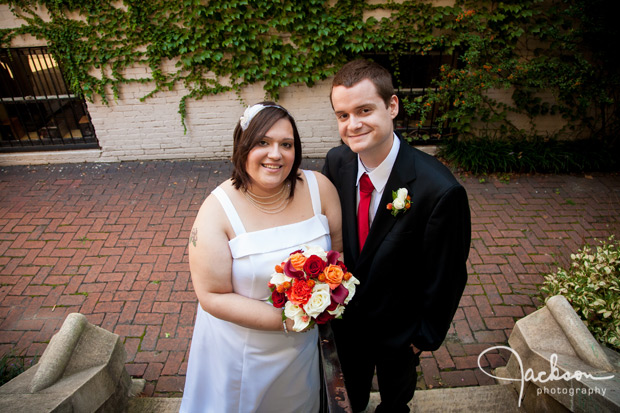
[37, 109]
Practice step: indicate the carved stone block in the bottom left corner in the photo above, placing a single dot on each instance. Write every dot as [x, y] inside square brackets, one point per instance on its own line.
[81, 370]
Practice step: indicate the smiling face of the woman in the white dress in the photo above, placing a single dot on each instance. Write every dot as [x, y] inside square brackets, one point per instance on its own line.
[270, 161]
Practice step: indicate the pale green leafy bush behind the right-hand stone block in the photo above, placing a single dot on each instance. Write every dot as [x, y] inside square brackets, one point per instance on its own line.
[592, 286]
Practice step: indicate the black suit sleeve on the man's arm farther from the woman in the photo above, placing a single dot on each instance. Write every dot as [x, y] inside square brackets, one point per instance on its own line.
[447, 240]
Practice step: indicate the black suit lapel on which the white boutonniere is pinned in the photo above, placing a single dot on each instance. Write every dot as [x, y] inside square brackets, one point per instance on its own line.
[403, 173]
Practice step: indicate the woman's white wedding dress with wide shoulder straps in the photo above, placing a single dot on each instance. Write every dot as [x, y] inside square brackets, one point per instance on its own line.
[237, 369]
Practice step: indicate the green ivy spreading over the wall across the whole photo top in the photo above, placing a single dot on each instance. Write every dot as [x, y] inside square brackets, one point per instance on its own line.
[215, 46]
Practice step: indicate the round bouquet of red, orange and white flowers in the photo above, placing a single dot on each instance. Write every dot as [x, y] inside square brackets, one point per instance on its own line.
[312, 286]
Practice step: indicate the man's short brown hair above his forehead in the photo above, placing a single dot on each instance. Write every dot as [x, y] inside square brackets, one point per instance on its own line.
[357, 70]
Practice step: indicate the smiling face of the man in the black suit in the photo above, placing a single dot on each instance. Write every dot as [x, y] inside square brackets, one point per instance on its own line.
[364, 122]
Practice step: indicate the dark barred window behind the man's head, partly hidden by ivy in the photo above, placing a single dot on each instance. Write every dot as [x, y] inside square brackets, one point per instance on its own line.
[413, 78]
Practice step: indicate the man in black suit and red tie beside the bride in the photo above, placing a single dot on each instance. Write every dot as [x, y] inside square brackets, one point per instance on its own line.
[408, 253]
